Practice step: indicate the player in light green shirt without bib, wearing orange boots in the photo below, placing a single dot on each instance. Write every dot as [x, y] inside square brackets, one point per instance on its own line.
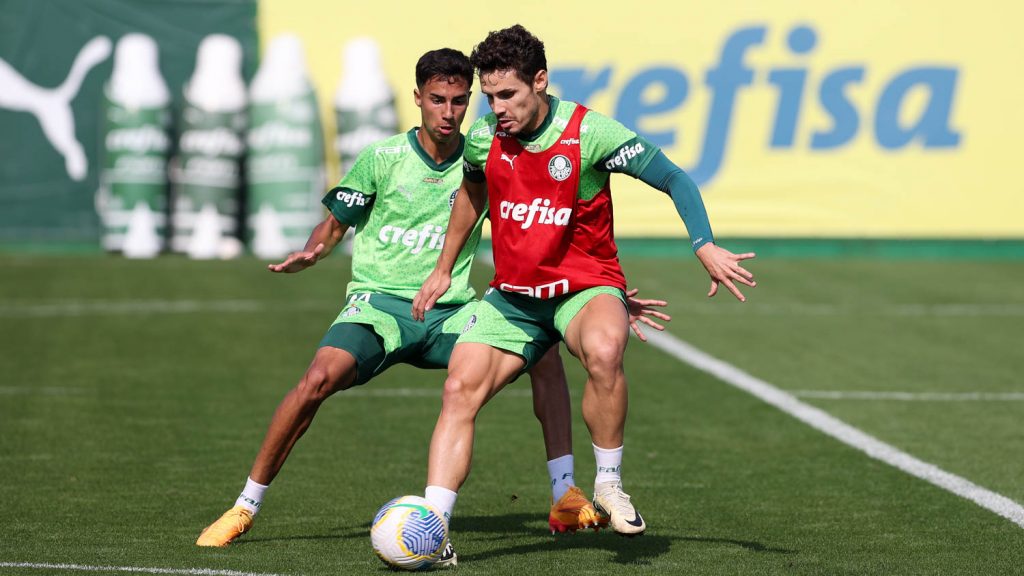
[399, 196]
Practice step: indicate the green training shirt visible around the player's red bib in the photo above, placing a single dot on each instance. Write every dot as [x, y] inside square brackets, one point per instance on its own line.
[606, 146]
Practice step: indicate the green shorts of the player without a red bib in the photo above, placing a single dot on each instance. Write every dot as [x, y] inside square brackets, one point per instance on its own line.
[379, 332]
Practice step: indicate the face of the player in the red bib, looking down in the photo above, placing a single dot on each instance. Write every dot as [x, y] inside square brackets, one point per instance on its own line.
[517, 104]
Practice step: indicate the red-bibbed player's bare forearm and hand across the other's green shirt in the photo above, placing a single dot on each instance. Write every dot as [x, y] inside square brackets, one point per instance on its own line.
[470, 205]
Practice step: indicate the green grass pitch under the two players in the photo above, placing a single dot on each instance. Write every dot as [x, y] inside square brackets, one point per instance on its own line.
[135, 395]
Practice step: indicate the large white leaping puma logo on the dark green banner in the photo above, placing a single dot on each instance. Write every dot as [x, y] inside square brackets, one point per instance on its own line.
[52, 107]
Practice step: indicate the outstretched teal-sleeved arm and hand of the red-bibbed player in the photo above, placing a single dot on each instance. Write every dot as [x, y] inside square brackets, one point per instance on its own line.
[642, 159]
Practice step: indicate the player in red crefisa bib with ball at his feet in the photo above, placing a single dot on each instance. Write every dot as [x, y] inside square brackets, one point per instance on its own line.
[543, 167]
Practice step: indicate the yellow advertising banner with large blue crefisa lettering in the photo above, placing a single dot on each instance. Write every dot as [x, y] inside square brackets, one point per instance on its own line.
[797, 118]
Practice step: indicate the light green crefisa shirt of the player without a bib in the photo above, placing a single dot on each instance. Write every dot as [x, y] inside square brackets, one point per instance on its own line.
[400, 201]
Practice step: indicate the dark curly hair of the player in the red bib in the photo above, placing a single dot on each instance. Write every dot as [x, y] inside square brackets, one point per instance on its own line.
[514, 49]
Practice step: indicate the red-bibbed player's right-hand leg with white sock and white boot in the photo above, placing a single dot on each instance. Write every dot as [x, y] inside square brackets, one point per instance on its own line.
[598, 336]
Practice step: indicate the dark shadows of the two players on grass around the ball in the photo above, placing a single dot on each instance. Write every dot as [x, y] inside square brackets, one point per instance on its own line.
[497, 537]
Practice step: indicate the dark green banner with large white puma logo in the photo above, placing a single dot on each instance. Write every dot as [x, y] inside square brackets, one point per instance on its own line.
[56, 60]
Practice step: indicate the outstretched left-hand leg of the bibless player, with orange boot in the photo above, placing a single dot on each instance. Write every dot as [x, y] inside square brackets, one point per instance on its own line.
[331, 371]
